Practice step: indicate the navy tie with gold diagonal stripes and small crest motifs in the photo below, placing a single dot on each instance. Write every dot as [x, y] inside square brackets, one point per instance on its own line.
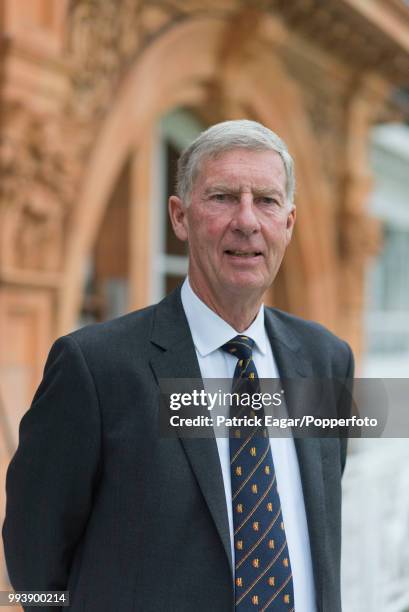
[263, 578]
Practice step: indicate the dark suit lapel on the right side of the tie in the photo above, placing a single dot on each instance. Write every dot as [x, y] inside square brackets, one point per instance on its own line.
[293, 364]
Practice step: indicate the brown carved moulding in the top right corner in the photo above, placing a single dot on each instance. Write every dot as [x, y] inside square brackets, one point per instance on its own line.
[366, 36]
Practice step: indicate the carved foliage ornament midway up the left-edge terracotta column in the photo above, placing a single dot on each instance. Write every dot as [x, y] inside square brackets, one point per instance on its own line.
[36, 189]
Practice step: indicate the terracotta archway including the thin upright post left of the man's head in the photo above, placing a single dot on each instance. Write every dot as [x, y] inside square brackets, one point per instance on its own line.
[184, 67]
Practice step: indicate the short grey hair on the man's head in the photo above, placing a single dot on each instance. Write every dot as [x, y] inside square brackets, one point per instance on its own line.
[225, 136]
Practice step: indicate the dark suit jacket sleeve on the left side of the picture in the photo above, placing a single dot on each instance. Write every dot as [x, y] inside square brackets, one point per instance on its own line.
[53, 474]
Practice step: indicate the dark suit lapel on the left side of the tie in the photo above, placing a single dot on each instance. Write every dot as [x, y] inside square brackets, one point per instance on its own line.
[178, 359]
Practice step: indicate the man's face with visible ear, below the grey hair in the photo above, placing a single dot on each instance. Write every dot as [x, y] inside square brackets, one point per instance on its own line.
[238, 224]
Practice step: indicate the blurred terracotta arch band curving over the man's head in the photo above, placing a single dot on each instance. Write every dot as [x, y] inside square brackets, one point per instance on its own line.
[166, 76]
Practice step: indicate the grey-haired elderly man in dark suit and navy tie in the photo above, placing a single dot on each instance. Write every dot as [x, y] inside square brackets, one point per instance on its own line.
[101, 505]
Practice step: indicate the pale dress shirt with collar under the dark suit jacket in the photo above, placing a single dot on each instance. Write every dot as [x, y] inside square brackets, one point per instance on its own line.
[210, 332]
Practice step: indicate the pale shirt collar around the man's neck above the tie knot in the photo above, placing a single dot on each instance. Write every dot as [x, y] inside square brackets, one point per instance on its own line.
[209, 331]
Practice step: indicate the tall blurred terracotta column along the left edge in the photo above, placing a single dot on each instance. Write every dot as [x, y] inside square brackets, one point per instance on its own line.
[36, 189]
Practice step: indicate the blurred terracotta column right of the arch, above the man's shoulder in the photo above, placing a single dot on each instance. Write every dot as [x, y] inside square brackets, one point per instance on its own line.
[360, 234]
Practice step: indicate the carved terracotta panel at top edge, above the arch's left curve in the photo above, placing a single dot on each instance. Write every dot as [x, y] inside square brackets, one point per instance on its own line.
[106, 36]
